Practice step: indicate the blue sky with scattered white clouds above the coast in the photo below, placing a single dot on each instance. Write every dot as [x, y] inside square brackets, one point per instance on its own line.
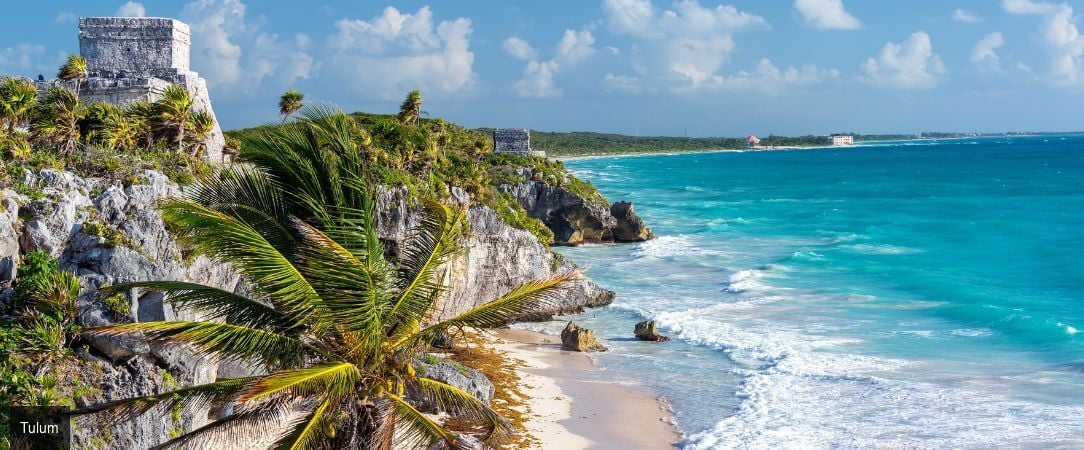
[644, 68]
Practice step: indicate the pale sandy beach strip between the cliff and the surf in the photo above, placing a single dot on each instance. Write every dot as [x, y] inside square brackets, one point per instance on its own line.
[567, 408]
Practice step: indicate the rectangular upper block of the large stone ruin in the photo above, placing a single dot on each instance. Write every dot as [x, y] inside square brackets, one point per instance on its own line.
[135, 45]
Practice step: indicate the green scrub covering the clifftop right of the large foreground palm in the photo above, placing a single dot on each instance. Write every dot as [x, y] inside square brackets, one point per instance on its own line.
[431, 158]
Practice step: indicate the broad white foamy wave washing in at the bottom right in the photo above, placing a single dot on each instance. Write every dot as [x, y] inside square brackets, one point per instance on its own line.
[803, 391]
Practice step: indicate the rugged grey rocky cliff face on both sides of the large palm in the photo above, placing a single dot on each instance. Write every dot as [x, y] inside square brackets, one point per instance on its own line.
[109, 234]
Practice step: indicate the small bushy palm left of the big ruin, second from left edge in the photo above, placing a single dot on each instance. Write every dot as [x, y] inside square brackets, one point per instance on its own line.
[57, 120]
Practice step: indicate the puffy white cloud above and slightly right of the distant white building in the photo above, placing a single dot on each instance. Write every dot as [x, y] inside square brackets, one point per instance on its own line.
[908, 66]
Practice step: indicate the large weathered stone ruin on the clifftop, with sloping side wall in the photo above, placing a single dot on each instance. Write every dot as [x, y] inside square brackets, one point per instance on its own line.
[134, 59]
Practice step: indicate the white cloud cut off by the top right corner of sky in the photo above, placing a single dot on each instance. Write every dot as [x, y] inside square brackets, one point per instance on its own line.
[1061, 36]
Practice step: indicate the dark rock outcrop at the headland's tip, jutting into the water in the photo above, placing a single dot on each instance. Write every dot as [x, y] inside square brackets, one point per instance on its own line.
[576, 220]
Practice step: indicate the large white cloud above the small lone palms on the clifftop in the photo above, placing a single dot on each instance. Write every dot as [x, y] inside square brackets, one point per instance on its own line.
[390, 55]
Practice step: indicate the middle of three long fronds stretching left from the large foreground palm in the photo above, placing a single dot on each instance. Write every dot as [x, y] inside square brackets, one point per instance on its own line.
[220, 340]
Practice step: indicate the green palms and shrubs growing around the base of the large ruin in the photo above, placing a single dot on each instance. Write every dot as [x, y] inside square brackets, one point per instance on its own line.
[60, 131]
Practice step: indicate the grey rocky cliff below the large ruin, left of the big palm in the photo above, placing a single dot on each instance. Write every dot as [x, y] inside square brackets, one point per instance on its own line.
[108, 234]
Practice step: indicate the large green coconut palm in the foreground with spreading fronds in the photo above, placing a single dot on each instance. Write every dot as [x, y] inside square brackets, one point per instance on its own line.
[339, 326]
